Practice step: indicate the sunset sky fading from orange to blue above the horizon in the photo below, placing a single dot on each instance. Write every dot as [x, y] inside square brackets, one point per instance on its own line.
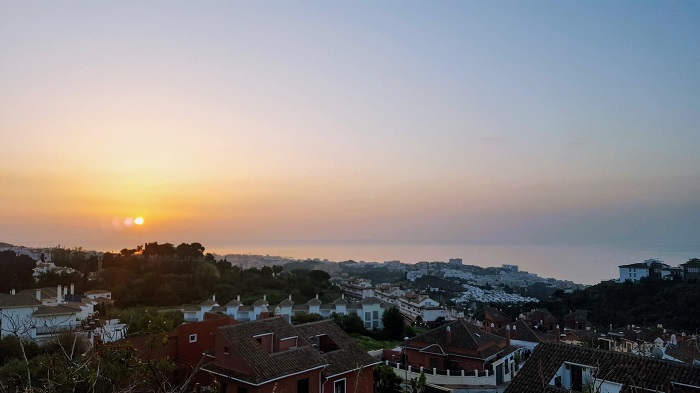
[328, 124]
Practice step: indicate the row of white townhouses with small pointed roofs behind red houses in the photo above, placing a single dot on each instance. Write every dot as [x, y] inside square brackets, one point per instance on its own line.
[370, 310]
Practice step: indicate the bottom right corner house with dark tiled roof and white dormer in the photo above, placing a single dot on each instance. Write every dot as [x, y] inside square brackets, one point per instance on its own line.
[556, 367]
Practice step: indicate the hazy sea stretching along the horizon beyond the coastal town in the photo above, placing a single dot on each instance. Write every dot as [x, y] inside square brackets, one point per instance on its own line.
[581, 264]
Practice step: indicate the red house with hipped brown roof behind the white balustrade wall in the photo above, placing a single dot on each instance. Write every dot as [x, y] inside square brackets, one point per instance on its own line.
[458, 346]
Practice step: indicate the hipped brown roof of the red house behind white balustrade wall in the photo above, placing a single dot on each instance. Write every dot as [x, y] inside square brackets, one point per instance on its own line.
[463, 336]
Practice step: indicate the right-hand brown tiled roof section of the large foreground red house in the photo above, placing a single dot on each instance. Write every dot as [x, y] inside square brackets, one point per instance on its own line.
[349, 356]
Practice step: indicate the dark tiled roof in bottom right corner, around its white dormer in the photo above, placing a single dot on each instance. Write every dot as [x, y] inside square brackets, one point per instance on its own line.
[626, 369]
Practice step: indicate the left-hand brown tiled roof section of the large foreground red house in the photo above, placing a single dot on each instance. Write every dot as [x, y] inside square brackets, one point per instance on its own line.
[267, 366]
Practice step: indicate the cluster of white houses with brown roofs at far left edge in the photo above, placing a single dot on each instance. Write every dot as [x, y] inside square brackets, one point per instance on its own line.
[42, 314]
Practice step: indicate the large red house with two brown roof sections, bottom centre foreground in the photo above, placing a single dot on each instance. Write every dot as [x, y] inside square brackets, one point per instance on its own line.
[270, 355]
